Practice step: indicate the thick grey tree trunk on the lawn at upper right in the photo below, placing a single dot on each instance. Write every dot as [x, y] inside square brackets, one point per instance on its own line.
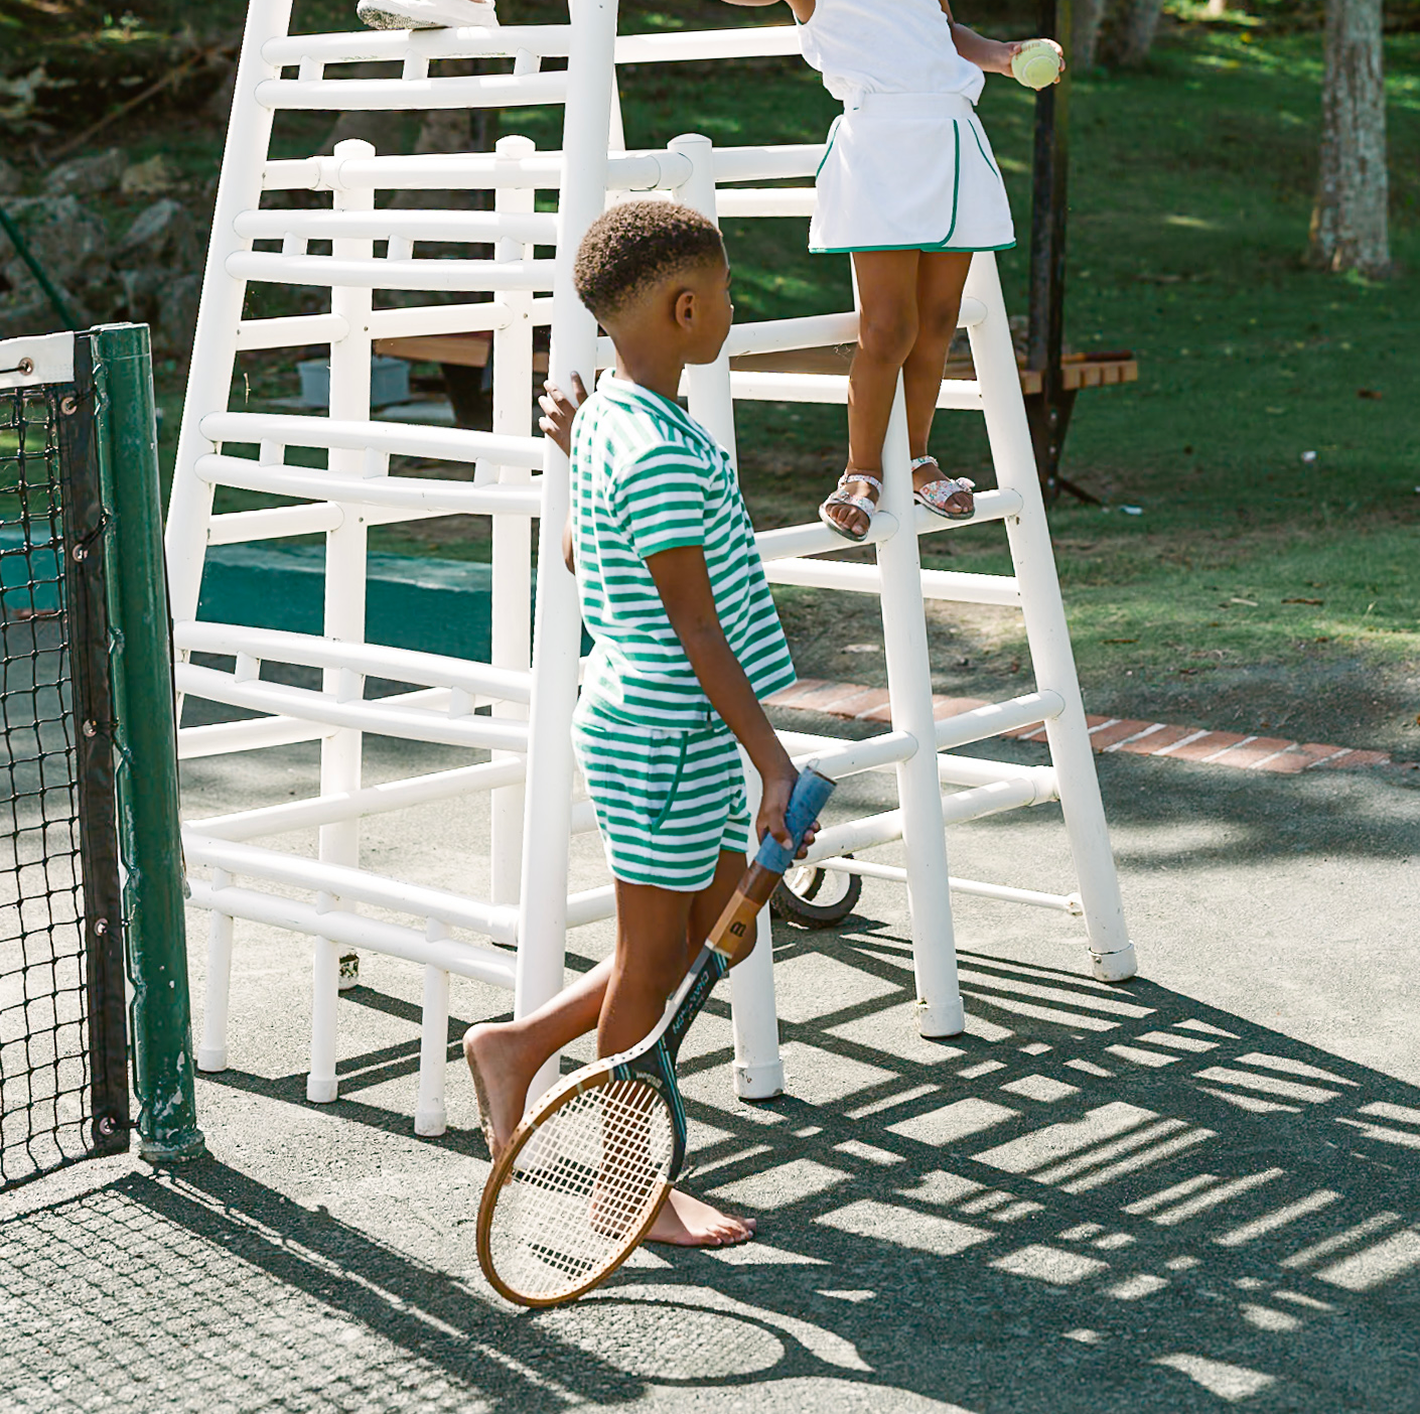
[1350, 219]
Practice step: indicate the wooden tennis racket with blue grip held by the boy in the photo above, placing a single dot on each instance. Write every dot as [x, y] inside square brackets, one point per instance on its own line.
[591, 1165]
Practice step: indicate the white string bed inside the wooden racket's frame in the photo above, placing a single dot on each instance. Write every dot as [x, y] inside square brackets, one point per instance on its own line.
[581, 1189]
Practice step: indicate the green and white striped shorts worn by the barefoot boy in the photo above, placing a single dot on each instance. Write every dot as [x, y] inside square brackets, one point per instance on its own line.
[668, 803]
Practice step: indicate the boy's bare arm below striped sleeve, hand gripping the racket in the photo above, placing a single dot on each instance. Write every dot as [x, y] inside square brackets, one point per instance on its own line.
[684, 584]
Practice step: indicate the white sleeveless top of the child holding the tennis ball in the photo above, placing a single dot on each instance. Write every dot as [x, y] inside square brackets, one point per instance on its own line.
[887, 48]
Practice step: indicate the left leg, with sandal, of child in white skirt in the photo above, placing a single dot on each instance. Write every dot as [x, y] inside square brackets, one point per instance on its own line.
[887, 333]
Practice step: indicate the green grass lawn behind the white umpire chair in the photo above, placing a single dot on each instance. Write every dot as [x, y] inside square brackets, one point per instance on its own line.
[1260, 587]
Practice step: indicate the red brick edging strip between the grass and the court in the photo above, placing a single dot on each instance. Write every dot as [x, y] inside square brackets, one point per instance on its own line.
[1108, 735]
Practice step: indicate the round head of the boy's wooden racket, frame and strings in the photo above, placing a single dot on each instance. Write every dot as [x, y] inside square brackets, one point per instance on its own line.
[580, 1185]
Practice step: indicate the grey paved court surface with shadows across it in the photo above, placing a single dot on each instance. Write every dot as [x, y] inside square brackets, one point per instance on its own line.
[1196, 1192]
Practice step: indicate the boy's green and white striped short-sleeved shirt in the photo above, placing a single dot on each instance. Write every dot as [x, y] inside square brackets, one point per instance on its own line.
[647, 478]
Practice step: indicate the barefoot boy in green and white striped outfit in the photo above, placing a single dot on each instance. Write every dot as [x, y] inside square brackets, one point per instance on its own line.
[687, 644]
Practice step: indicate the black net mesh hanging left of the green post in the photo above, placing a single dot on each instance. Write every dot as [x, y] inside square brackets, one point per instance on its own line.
[46, 1109]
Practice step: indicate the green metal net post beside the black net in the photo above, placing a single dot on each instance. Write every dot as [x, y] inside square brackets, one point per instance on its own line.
[147, 735]
